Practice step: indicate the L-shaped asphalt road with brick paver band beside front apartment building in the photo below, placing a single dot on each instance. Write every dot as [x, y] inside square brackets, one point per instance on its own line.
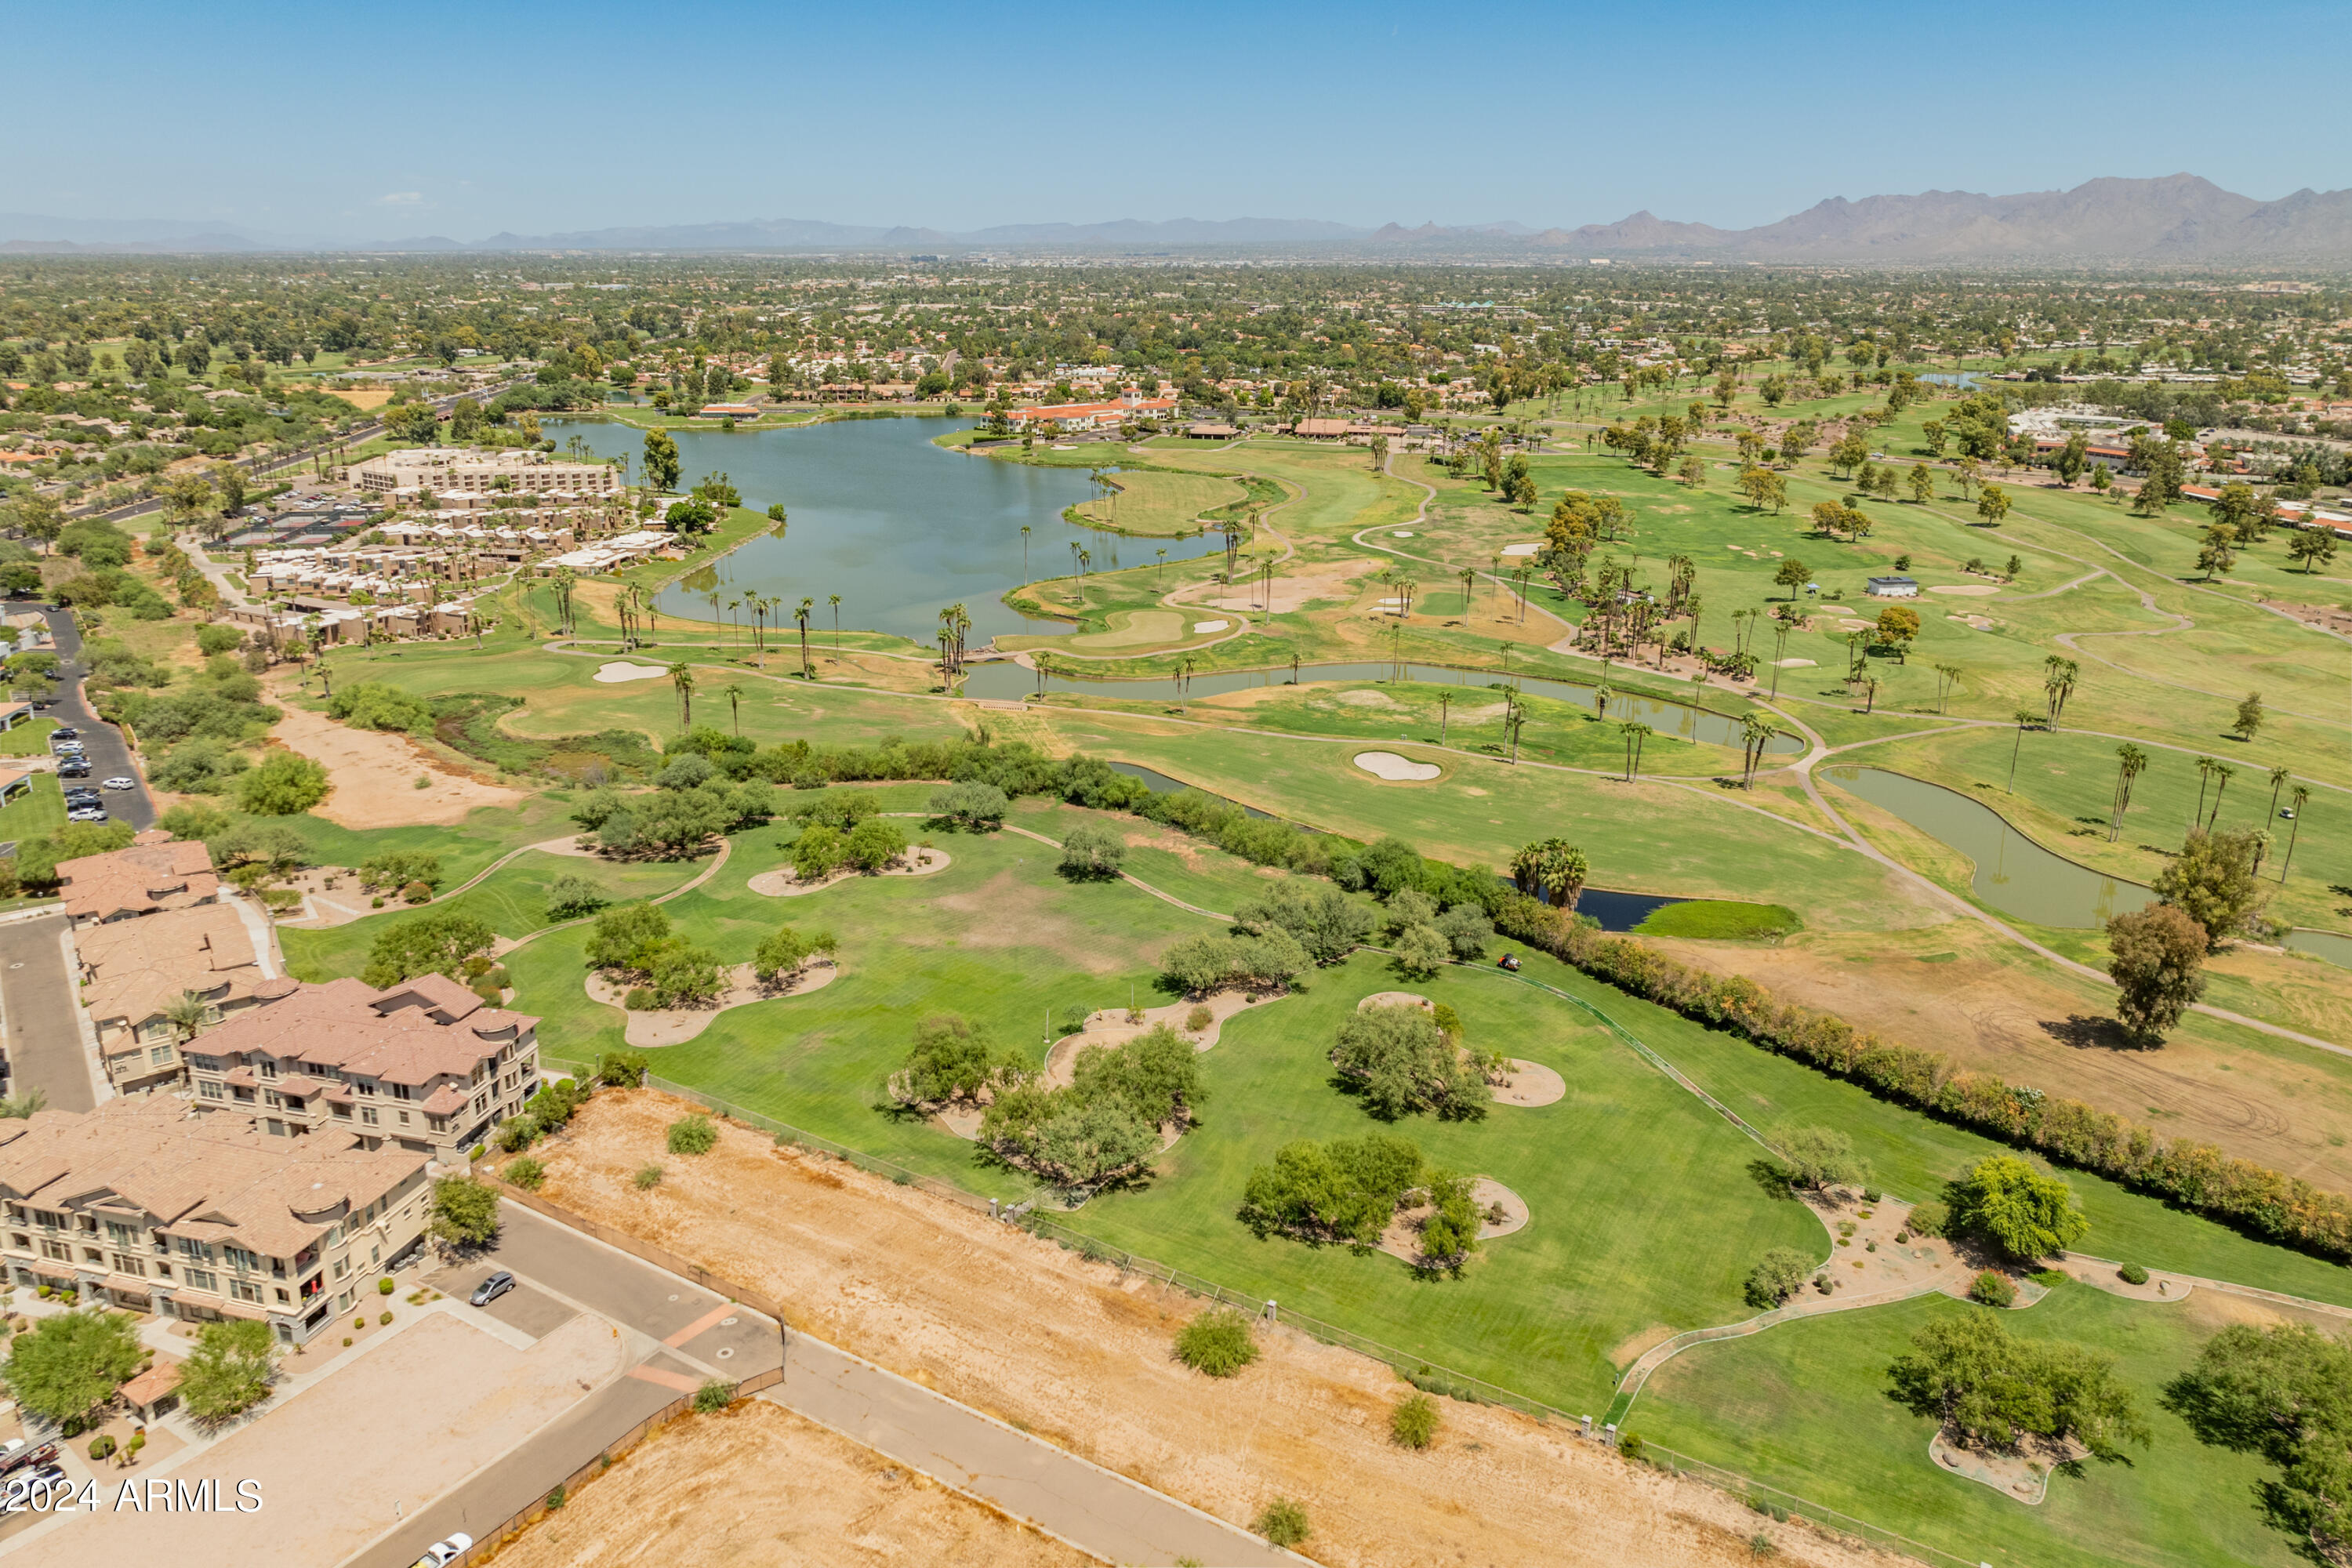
[566, 1273]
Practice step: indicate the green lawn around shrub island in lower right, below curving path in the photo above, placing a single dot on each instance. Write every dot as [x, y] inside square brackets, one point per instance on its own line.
[1805, 1407]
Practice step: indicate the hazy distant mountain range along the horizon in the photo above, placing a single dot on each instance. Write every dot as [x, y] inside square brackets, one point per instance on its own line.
[2177, 220]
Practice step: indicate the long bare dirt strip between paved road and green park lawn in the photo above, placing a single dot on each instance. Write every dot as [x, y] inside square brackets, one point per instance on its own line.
[1081, 1355]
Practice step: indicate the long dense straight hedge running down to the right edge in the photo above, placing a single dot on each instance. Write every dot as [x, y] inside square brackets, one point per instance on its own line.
[2200, 1177]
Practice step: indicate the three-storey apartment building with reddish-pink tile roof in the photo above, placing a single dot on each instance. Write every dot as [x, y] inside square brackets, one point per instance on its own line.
[425, 1066]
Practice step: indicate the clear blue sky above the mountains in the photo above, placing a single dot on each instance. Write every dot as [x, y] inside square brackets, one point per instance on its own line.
[465, 121]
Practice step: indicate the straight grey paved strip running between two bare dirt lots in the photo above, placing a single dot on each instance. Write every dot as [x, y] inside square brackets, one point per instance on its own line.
[1062, 1494]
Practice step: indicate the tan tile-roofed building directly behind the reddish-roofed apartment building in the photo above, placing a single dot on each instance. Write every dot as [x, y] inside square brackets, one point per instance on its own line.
[140, 972]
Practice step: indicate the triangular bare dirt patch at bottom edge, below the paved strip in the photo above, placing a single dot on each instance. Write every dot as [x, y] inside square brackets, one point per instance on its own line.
[820, 1501]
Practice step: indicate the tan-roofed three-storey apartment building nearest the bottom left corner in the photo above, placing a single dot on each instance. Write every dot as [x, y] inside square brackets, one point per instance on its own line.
[156, 1207]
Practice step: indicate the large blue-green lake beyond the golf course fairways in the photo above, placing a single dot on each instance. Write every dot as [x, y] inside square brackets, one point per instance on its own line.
[888, 521]
